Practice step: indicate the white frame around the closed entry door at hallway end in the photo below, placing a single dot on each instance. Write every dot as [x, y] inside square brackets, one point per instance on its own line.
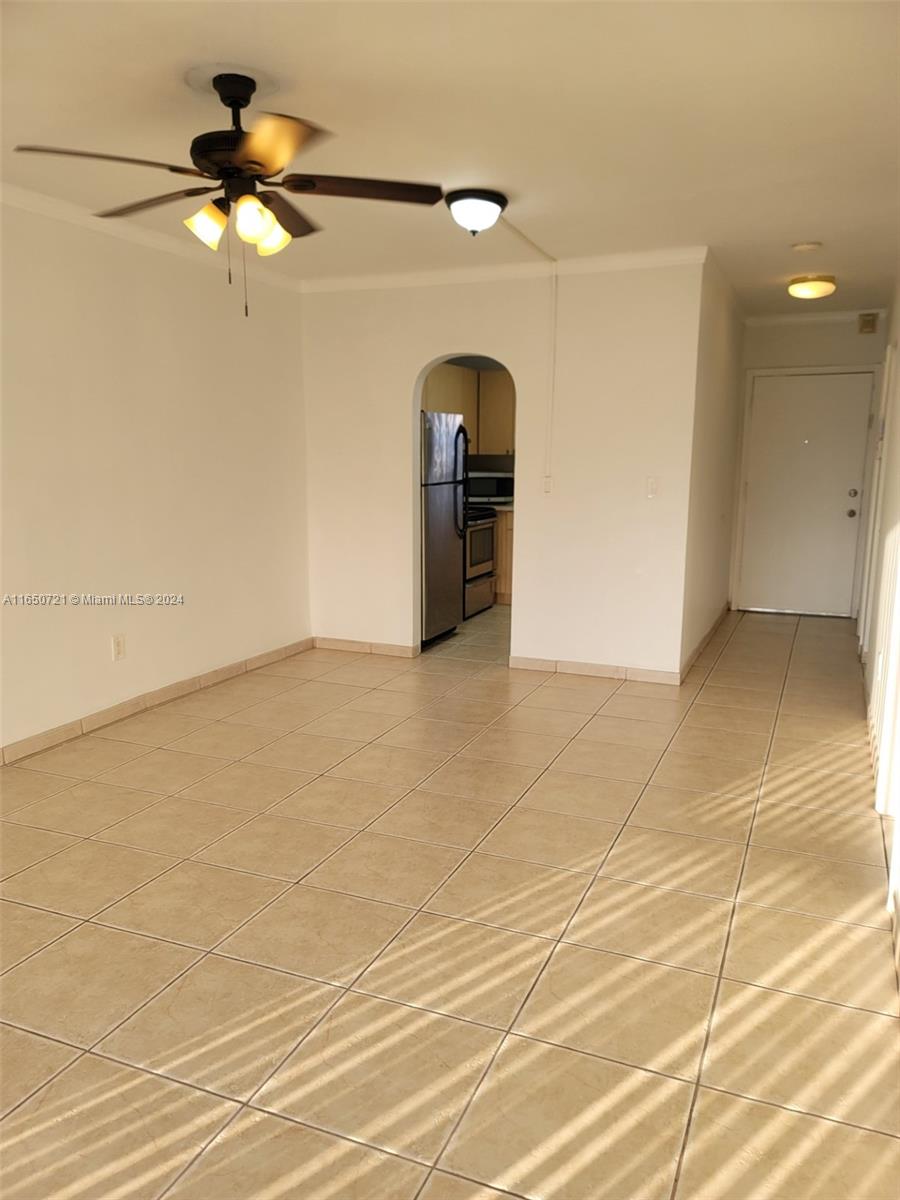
[753, 375]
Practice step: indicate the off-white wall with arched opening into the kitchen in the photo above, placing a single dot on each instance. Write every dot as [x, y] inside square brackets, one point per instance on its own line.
[599, 568]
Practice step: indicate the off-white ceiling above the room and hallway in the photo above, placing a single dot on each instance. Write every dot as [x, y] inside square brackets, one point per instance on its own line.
[614, 128]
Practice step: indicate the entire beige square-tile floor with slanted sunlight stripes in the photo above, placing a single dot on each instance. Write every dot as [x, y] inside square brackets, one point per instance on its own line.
[361, 928]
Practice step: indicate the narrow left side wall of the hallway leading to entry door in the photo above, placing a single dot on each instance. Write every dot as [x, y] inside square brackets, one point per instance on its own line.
[715, 460]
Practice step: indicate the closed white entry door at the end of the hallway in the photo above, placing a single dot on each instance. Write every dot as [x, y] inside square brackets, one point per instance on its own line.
[803, 496]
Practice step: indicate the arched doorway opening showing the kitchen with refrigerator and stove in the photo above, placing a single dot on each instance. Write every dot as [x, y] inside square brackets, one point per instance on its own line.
[466, 411]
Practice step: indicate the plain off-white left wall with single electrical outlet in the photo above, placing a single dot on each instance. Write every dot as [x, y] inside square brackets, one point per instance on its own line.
[153, 442]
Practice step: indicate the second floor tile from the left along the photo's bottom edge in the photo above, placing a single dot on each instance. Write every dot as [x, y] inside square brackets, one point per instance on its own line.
[265, 1156]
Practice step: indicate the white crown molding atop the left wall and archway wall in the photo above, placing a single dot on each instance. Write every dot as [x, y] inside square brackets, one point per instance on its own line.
[73, 214]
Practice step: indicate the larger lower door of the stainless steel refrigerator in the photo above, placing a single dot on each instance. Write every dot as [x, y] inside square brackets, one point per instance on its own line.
[442, 562]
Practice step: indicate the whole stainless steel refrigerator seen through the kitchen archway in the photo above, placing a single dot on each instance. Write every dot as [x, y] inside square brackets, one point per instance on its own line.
[445, 445]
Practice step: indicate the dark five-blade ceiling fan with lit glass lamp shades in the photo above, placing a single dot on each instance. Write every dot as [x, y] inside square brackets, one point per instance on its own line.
[241, 164]
